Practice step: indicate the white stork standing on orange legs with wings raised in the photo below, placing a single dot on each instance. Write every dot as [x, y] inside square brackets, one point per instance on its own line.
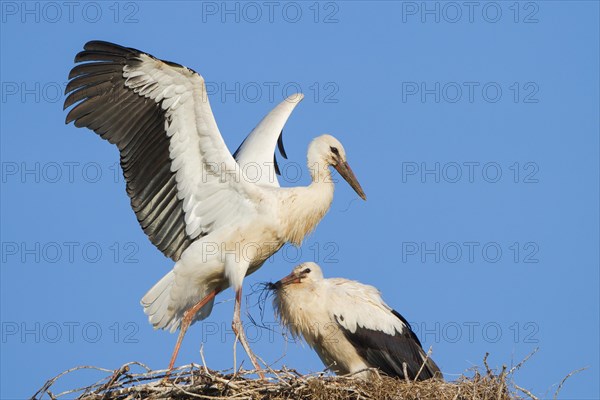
[189, 194]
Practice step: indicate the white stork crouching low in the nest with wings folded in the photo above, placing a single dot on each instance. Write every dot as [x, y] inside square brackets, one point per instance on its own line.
[349, 325]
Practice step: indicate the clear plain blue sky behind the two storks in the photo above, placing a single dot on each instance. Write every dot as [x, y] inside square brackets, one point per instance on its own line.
[473, 130]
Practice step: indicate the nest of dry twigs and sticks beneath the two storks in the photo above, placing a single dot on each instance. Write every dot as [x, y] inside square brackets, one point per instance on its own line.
[198, 382]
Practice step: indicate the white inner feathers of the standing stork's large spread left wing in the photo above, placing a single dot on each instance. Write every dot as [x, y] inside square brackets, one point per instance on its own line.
[208, 178]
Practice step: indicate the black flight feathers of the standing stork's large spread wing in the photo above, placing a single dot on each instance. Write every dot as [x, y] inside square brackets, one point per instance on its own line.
[137, 126]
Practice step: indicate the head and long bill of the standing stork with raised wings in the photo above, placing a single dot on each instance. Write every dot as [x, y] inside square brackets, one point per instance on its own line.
[330, 151]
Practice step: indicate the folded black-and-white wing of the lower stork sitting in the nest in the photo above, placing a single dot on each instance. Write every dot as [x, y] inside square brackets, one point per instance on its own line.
[381, 336]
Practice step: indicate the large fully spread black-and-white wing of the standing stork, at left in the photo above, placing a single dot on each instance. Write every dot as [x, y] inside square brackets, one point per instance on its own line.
[181, 178]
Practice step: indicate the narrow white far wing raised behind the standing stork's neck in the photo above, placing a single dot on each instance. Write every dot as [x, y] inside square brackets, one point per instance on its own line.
[256, 154]
